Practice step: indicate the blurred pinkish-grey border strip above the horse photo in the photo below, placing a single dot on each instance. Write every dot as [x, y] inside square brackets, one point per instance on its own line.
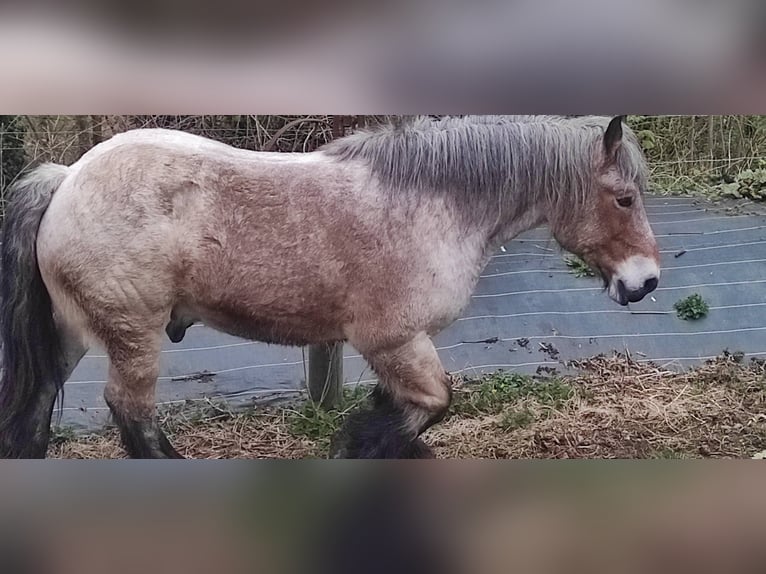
[185, 57]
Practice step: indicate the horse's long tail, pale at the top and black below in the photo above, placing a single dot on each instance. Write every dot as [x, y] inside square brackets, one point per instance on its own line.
[32, 371]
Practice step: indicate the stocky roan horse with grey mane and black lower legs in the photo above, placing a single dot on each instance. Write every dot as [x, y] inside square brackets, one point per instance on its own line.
[377, 239]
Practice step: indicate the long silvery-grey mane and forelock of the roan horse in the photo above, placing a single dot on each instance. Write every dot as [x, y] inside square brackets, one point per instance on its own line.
[472, 159]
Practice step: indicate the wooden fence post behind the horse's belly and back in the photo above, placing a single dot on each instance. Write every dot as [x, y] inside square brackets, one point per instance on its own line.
[325, 377]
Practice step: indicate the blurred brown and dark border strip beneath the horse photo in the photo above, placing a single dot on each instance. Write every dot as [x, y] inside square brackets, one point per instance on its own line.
[347, 516]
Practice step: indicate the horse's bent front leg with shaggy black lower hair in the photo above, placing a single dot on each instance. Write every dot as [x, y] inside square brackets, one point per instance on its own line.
[413, 394]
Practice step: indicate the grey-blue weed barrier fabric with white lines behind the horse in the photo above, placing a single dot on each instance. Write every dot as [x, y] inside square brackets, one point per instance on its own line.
[529, 314]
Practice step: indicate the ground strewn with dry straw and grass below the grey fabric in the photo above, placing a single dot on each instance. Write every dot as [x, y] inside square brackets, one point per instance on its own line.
[613, 408]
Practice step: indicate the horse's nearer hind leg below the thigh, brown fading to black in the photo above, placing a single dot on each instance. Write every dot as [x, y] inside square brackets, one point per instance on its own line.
[133, 371]
